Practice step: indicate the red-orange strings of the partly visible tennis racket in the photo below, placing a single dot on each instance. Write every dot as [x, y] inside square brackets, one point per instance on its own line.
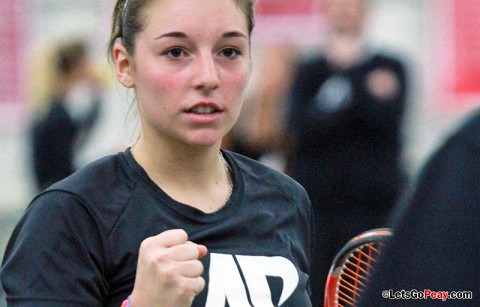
[356, 271]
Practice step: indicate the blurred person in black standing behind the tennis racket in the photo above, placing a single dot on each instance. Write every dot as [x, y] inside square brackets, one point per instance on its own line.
[345, 115]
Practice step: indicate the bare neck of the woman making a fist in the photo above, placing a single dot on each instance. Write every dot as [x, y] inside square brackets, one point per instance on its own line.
[190, 175]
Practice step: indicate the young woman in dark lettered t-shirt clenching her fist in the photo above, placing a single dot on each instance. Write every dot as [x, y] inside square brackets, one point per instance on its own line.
[174, 220]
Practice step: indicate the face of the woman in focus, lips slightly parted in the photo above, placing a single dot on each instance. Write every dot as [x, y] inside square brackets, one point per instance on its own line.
[190, 67]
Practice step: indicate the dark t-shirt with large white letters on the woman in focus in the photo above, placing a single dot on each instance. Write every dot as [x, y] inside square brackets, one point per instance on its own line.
[77, 244]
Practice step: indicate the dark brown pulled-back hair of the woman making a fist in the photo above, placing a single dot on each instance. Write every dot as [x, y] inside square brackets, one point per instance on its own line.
[128, 20]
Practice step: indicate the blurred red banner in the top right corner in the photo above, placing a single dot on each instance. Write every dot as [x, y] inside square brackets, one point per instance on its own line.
[457, 52]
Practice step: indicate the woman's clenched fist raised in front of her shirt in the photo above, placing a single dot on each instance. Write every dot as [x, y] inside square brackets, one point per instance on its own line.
[168, 271]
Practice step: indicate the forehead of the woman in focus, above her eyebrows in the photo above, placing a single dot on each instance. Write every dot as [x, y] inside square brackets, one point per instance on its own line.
[167, 15]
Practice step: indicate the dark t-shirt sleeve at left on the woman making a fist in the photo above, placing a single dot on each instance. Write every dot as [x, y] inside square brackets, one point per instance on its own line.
[56, 255]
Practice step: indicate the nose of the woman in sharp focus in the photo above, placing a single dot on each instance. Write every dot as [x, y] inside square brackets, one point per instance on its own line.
[206, 74]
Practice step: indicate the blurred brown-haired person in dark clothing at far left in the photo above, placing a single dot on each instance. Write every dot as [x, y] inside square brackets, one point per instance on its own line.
[73, 109]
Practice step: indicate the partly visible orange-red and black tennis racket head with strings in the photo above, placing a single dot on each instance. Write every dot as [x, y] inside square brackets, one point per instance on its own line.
[352, 267]
